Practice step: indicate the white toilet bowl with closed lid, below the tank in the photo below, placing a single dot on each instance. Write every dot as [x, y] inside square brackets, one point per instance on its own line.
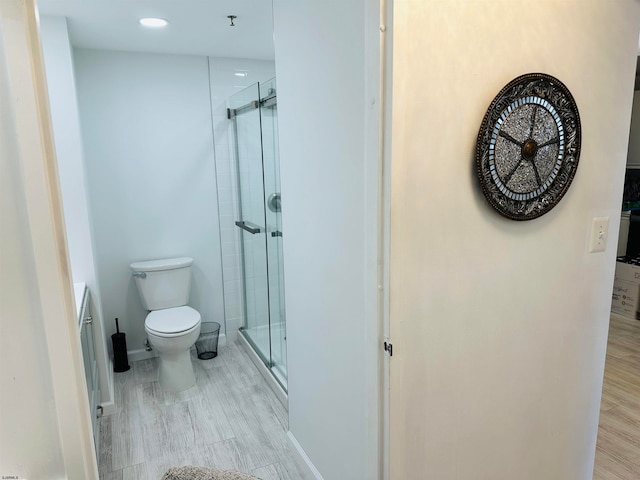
[172, 332]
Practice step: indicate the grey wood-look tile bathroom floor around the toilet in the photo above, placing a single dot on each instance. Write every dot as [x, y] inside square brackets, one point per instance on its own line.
[230, 420]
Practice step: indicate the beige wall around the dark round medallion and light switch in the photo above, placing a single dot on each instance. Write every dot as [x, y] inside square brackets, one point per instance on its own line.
[500, 327]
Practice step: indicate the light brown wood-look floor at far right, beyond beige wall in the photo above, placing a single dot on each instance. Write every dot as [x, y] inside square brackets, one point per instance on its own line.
[618, 446]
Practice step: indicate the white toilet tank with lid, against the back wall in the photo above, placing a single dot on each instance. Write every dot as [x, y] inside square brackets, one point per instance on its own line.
[163, 283]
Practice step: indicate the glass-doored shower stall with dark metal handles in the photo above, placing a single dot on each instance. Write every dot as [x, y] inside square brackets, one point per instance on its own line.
[254, 115]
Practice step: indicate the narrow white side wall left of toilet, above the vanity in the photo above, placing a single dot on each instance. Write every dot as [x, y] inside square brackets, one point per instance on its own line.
[68, 141]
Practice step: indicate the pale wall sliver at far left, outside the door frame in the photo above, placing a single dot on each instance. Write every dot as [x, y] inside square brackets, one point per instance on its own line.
[28, 426]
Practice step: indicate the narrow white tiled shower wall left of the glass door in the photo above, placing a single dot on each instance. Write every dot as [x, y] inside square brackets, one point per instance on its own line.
[229, 76]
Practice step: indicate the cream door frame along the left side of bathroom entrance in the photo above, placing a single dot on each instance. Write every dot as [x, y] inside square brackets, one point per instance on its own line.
[19, 23]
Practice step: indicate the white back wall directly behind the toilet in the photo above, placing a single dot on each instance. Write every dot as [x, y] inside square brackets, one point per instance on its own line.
[151, 176]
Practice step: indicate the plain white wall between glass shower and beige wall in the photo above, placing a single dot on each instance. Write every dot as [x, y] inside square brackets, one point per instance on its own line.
[329, 226]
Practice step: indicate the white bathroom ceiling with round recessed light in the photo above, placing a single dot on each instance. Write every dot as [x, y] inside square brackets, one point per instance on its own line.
[196, 27]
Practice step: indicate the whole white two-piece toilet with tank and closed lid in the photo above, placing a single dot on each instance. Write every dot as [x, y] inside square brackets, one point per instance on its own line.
[172, 327]
